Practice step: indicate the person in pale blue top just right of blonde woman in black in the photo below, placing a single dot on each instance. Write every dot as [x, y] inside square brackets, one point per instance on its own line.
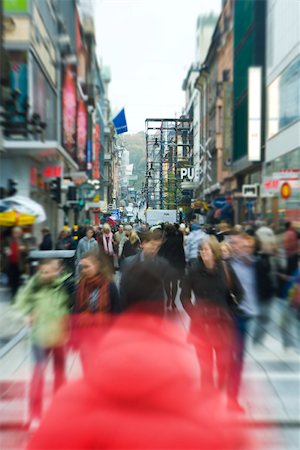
[244, 265]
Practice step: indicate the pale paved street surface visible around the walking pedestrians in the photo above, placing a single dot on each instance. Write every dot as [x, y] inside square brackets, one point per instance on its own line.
[270, 390]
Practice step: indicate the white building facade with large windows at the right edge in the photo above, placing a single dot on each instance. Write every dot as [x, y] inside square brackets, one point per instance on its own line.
[282, 157]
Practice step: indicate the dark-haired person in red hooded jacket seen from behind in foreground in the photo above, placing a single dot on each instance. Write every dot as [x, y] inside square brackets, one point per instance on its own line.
[142, 389]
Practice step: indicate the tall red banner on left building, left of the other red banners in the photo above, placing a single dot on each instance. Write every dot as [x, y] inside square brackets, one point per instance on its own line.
[69, 111]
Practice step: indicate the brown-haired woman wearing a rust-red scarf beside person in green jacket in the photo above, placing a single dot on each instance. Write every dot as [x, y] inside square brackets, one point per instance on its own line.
[96, 299]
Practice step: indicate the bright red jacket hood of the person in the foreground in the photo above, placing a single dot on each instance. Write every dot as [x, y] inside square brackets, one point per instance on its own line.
[150, 356]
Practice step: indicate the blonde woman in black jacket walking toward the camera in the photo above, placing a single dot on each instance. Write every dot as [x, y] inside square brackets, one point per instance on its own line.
[210, 318]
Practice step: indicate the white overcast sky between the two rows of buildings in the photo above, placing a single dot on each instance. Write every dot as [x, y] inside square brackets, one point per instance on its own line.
[149, 46]
